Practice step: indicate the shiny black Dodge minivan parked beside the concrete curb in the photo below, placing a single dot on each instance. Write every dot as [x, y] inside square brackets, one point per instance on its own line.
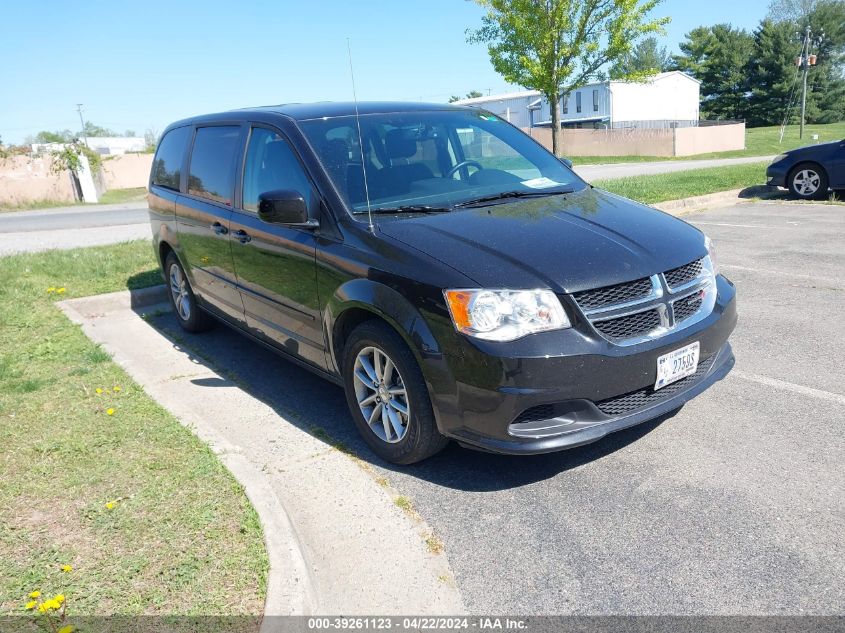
[457, 279]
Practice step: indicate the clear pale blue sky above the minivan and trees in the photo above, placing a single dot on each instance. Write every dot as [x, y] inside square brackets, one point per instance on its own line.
[138, 65]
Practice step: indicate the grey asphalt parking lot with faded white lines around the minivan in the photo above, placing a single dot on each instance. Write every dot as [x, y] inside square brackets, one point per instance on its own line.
[734, 505]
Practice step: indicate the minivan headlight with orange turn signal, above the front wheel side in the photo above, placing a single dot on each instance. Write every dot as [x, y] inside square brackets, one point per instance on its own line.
[505, 315]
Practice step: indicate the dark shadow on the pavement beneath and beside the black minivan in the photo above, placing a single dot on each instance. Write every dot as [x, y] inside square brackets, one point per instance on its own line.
[319, 407]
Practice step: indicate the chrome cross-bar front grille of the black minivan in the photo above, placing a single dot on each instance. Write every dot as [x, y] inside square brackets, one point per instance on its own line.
[634, 311]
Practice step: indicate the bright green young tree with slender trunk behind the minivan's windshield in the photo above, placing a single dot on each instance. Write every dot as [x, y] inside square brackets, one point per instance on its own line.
[556, 46]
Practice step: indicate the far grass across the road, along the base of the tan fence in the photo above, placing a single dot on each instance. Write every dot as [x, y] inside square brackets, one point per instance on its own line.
[759, 141]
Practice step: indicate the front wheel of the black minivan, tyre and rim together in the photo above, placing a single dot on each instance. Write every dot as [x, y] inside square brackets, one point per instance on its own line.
[387, 395]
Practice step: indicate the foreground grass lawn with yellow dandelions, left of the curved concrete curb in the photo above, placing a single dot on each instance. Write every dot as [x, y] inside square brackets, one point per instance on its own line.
[96, 475]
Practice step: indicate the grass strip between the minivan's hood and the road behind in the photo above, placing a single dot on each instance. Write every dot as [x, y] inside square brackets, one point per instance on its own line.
[683, 184]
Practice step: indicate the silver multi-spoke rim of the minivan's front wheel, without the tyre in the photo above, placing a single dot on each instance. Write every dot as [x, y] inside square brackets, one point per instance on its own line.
[381, 395]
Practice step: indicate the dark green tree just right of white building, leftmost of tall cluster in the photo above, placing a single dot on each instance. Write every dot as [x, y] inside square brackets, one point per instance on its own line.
[719, 57]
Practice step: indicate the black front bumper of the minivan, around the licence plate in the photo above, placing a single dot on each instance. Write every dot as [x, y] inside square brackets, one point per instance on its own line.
[564, 389]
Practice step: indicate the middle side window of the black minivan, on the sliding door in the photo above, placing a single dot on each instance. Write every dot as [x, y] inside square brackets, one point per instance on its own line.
[212, 172]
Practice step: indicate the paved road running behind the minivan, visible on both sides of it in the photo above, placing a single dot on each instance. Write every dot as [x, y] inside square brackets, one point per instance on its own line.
[44, 224]
